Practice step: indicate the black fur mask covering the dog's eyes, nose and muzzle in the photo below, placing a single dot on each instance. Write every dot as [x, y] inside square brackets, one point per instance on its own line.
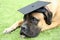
[31, 29]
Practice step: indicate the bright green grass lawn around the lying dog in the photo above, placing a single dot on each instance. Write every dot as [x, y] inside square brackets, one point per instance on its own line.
[9, 15]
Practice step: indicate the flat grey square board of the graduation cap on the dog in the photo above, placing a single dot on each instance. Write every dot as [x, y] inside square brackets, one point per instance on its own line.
[32, 7]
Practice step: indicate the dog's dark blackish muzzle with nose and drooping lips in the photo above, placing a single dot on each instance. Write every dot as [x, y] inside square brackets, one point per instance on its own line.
[30, 30]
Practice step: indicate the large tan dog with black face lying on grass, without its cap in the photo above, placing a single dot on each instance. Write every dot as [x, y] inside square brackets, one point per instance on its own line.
[39, 20]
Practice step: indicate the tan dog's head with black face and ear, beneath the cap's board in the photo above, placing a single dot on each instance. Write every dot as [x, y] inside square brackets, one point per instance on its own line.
[34, 21]
